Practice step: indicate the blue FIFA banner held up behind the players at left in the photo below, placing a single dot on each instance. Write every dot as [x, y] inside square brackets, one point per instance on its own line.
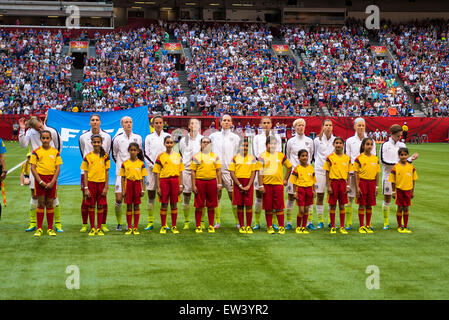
[71, 125]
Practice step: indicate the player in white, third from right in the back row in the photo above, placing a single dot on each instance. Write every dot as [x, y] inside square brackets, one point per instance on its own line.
[323, 146]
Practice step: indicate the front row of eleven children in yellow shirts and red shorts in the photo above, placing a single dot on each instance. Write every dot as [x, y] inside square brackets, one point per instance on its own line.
[206, 181]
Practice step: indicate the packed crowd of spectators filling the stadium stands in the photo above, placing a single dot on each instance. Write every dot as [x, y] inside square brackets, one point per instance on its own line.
[232, 70]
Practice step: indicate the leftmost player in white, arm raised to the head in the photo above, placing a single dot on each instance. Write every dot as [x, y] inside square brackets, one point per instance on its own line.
[31, 138]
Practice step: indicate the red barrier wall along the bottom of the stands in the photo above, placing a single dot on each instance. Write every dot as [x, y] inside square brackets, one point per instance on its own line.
[437, 129]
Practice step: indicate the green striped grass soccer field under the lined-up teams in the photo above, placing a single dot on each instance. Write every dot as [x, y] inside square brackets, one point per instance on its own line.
[229, 265]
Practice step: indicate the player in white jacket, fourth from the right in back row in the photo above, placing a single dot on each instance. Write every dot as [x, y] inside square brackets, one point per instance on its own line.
[294, 144]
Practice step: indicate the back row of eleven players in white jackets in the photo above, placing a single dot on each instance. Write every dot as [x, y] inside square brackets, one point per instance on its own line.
[225, 145]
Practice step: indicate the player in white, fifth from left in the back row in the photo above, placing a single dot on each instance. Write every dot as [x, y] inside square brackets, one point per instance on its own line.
[189, 146]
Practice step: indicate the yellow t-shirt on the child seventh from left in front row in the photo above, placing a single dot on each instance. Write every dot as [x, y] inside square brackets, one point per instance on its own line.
[271, 167]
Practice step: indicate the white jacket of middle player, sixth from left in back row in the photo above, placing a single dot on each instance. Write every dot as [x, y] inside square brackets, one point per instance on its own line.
[225, 145]
